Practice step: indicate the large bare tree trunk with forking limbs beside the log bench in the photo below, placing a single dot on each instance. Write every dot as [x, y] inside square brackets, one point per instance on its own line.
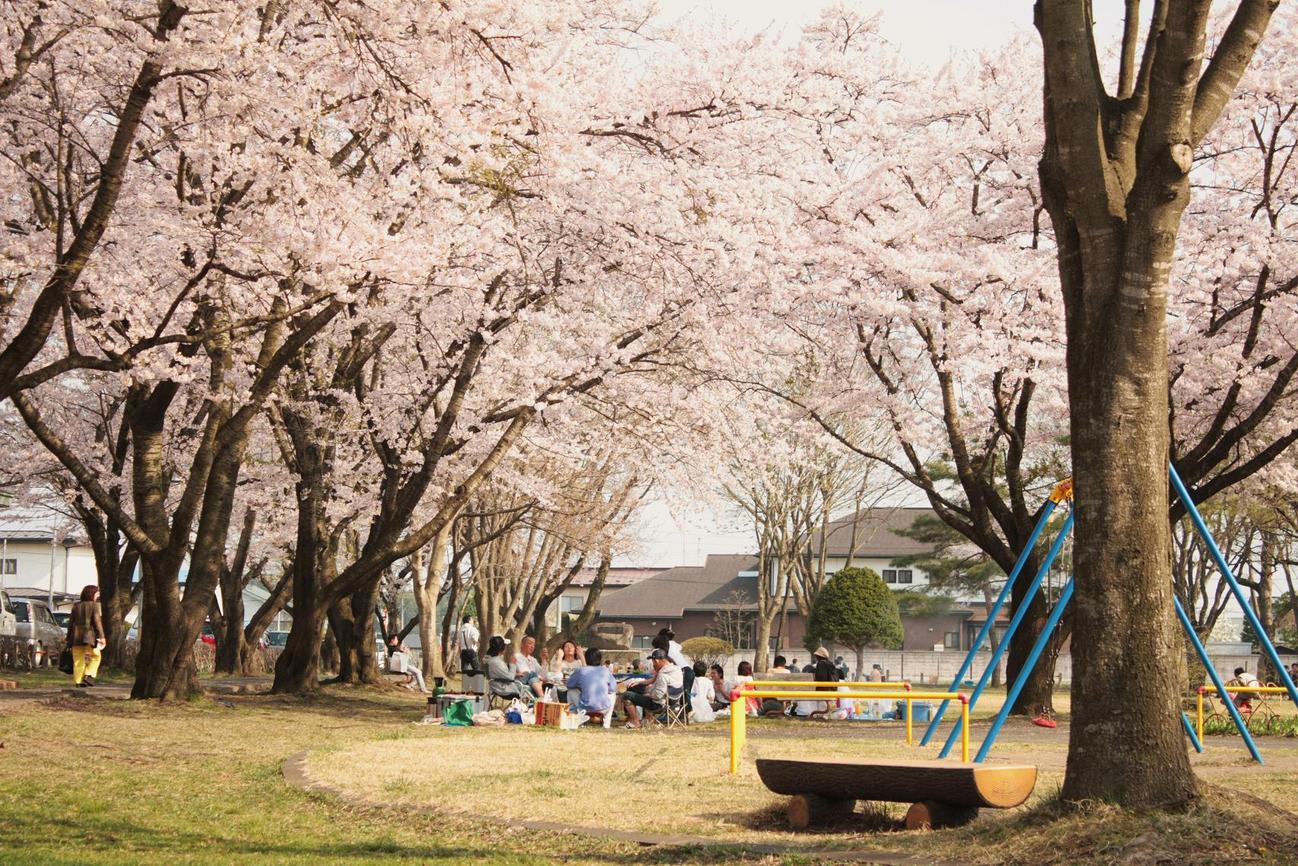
[1116, 181]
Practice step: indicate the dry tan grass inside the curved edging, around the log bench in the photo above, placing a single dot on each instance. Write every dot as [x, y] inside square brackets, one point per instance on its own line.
[631, 780]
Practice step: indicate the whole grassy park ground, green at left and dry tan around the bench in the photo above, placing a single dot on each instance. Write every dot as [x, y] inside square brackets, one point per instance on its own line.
[95, 781]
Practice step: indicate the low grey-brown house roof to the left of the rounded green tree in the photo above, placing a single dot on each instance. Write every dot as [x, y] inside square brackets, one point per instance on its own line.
[668, 595]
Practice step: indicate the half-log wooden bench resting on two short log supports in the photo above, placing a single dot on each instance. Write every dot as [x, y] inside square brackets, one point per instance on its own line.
[942, 794]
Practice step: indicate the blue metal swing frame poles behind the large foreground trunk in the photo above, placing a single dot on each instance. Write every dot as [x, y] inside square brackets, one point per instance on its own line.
[1064, 493]
